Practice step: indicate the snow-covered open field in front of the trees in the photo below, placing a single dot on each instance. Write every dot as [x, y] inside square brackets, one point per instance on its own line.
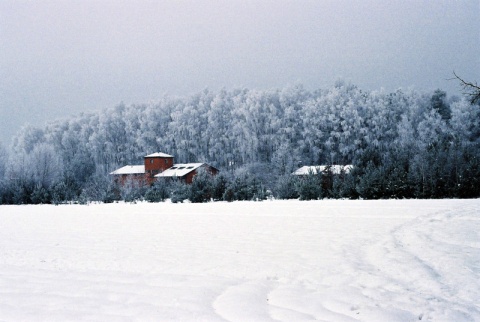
[390, 260]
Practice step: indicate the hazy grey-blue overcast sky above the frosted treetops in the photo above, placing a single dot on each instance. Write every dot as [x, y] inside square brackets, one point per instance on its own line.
[60, 58]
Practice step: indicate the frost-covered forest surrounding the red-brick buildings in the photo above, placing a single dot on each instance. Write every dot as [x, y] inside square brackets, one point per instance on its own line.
[402, 144]
